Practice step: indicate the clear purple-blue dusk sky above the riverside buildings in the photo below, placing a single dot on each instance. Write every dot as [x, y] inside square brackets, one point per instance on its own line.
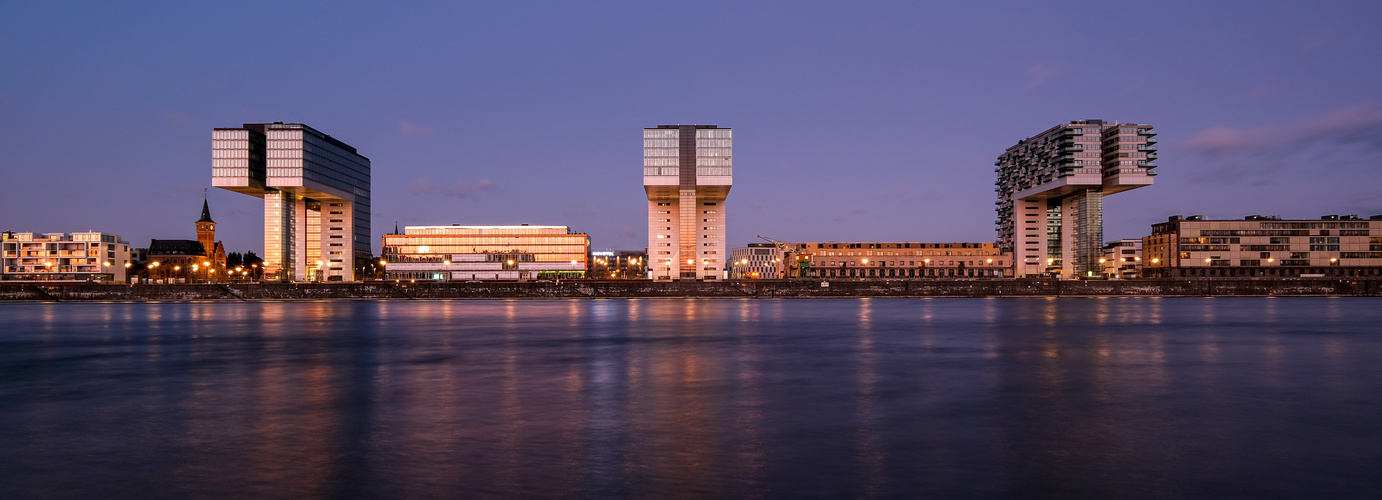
[877, 122]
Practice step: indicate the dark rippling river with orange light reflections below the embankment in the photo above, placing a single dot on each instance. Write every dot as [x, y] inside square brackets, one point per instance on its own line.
[693, 398]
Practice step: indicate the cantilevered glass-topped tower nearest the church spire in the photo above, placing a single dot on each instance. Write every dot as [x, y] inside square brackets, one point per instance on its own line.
[316, 191]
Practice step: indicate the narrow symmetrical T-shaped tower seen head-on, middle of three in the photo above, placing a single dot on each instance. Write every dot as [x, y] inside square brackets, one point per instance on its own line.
[688, 173]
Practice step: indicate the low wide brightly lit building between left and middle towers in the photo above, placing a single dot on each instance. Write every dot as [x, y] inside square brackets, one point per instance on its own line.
[486, 253]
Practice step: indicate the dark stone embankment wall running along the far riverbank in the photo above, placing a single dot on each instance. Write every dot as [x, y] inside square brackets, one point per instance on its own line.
[641, 289]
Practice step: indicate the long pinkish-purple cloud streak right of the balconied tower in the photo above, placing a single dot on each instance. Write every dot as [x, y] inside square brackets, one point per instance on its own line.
[1356, 125]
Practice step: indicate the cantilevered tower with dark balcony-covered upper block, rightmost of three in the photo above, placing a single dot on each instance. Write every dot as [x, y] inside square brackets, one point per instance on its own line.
[1051, 191]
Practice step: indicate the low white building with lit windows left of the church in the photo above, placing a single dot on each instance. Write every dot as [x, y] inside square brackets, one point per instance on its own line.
[60, 256]
